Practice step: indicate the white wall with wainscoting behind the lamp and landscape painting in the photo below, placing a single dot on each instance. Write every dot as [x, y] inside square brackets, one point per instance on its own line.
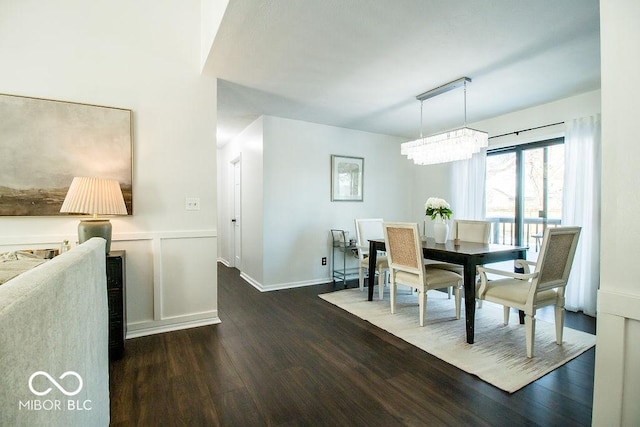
[144, 56]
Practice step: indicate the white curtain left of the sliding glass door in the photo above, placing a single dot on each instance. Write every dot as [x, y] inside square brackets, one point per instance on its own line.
[468, 186]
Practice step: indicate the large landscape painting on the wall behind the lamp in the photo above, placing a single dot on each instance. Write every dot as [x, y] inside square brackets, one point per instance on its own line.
[45, 143]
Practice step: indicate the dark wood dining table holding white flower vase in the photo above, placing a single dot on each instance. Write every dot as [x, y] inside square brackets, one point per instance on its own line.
[467, 254]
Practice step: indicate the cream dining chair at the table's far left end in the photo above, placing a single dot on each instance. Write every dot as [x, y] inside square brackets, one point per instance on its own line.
[367, 229]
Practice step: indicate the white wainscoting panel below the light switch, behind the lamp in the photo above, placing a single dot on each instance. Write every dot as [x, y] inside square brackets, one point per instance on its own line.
[171, 277]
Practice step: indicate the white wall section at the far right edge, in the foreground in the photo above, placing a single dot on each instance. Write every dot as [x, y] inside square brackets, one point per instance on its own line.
[617, 373]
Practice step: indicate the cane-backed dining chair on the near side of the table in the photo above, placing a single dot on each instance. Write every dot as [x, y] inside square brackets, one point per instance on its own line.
[406, 266]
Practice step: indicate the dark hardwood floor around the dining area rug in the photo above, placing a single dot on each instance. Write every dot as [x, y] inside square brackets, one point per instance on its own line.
[288, 358]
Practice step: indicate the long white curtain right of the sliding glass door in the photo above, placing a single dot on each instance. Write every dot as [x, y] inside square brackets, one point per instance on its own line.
[581, 206]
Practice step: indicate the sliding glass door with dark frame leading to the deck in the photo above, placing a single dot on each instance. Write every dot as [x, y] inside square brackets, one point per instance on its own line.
[524, 192]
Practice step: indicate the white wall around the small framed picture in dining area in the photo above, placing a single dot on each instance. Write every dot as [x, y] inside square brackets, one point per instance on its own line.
[298, 211]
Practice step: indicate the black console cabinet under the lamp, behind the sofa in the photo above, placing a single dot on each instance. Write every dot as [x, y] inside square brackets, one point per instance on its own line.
[116, 295]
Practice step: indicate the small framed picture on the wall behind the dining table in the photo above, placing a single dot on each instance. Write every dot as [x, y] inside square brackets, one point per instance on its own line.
[347, 178]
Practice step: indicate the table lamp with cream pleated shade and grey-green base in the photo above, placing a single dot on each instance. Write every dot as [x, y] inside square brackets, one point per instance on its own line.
[96, 196]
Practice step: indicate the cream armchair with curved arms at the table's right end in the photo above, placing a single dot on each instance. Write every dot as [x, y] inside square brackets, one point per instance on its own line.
[544, 286]
